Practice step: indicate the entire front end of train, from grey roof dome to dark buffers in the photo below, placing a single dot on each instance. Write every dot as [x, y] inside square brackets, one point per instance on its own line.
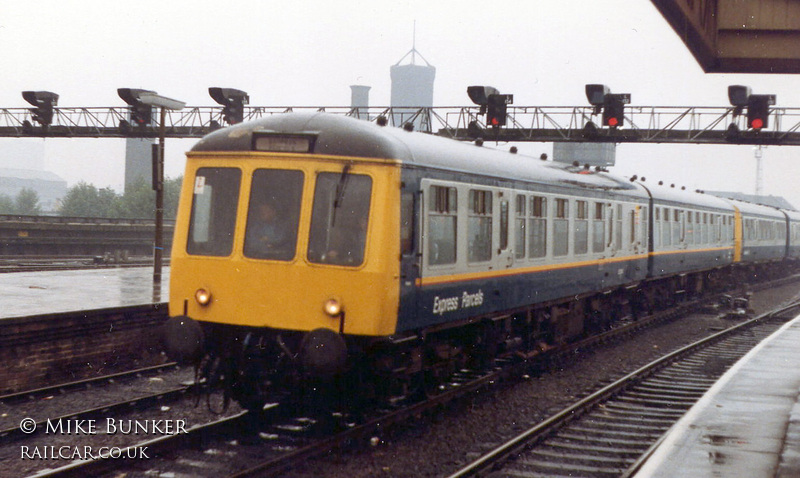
[286, 254]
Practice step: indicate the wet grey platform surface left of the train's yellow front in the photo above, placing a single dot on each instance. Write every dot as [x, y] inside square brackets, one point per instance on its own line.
[35, 293]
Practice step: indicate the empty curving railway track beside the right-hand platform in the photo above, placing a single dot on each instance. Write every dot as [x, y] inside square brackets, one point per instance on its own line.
[606, 433]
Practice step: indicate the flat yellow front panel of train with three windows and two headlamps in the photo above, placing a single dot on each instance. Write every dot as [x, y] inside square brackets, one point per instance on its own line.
[332, 267]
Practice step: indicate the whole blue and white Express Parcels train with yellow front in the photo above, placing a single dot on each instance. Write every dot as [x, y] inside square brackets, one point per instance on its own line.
[312, 248]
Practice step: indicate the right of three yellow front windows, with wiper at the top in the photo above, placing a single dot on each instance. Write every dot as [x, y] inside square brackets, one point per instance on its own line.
[339, 218]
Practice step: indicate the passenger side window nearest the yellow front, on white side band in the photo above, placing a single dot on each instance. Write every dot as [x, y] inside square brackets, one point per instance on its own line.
[442, 211]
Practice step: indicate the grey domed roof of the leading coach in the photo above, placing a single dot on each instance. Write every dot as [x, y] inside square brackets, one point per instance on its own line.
[344, 136]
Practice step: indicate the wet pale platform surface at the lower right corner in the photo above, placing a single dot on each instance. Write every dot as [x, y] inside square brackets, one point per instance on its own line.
[746, 425]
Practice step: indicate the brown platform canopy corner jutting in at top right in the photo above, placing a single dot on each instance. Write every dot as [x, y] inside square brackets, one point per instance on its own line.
[738, 36]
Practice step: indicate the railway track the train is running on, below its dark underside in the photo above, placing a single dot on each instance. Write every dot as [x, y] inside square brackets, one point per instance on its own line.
[242, 447]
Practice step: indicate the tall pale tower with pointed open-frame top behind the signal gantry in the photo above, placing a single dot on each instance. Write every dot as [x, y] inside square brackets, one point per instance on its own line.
[412, 86]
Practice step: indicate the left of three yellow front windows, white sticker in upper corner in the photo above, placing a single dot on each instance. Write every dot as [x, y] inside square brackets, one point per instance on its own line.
[214, 205]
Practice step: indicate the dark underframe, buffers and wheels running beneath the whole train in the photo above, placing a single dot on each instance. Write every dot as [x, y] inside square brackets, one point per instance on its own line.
[255, 366]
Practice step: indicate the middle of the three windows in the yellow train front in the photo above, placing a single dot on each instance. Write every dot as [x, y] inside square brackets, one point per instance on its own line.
[273, 214]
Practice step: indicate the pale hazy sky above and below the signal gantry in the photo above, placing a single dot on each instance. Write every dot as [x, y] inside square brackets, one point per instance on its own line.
[309, 52]
